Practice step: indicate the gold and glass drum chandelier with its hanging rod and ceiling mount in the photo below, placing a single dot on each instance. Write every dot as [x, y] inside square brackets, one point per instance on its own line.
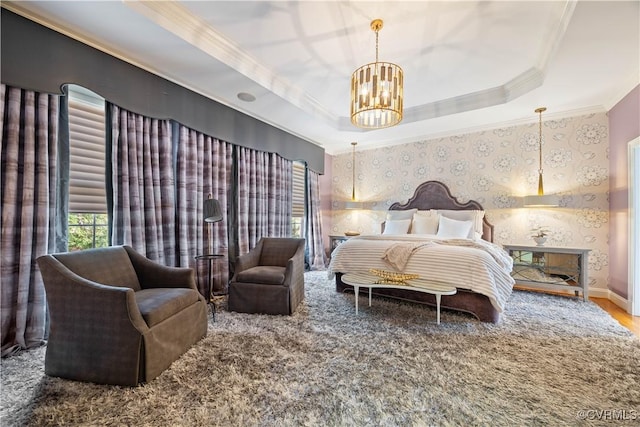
[377, 92]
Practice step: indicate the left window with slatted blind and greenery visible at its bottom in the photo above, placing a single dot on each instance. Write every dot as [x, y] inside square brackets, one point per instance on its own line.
[88, 225]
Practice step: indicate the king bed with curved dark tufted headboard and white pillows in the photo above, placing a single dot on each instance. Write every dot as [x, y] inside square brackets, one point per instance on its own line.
[454, 245]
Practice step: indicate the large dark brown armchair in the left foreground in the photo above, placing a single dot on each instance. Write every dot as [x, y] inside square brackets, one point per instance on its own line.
[117, 317]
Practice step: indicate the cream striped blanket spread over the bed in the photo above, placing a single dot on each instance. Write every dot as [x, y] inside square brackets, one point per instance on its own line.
[477, 265]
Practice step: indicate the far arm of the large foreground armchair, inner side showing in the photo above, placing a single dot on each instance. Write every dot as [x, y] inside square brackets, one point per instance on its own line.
[154, 275]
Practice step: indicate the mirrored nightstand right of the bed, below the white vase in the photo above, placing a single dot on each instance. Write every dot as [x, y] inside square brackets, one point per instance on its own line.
[551, 268]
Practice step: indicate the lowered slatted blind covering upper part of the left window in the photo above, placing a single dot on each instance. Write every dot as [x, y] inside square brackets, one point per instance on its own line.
[87, 153]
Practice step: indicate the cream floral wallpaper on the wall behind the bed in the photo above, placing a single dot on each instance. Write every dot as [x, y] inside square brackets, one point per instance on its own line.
[496, 168]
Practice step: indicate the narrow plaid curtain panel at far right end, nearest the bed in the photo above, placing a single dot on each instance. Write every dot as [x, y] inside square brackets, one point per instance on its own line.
[313, 224]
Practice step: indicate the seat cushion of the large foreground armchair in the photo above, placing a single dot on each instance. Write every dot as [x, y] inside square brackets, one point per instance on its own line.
[158, 304]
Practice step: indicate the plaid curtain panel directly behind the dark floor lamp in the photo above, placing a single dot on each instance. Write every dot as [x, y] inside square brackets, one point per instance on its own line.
[203, 167]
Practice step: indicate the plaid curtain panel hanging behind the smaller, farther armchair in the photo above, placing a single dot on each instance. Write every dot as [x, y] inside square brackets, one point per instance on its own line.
[264, 197]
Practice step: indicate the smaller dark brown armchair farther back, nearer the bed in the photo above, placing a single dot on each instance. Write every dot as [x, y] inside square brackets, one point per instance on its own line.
[269, 278]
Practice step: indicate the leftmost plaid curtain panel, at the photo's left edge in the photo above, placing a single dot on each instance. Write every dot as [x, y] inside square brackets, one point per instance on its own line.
[29, 128]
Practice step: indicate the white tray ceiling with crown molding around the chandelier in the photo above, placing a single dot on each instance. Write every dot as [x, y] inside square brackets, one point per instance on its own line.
[468, 65]
